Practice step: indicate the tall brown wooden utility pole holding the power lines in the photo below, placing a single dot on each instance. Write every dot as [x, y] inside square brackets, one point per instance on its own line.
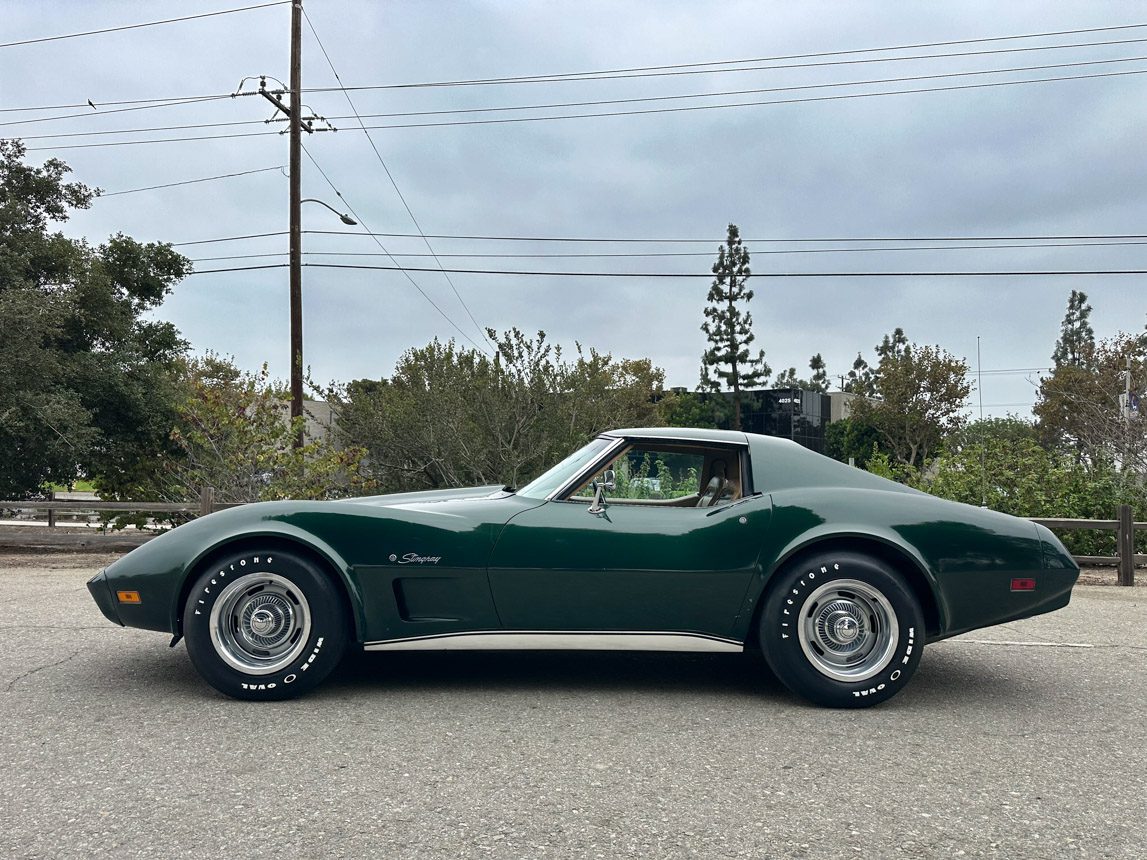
[296, 230]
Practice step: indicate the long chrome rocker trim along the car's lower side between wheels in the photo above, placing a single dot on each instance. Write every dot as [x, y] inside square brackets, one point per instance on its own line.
[560, 642]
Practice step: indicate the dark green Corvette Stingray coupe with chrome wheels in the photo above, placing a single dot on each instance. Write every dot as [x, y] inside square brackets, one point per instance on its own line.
[646, 540]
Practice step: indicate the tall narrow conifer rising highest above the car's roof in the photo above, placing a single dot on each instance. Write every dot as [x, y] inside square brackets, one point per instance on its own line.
[729, 327]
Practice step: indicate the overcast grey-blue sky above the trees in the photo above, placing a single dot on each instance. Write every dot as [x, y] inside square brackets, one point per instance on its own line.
[1034, 160]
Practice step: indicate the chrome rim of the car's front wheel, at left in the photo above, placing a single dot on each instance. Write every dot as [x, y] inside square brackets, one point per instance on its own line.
[261, 623]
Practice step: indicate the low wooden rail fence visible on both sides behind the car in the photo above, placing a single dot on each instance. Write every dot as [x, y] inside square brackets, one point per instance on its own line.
[1125, 527]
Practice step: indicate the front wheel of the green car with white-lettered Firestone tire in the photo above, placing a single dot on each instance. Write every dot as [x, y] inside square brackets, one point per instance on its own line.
[266, 626]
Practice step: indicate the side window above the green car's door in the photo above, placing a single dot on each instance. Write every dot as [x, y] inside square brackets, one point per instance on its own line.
[686, 476]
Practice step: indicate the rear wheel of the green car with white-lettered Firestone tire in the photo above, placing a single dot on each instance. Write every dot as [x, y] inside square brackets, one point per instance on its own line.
[842, 630]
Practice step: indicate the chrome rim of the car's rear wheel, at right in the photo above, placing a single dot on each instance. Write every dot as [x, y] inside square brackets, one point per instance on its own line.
[848, 631]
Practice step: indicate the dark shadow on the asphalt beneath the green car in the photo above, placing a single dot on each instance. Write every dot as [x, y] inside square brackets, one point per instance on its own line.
[947, 678]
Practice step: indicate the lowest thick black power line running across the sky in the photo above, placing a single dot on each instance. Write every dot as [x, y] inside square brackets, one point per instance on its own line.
[773, 276]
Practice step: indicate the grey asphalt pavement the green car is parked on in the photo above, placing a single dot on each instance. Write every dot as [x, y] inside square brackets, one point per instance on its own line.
[1021, 741]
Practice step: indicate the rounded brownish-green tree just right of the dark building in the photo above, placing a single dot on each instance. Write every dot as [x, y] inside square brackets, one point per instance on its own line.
[920, 394]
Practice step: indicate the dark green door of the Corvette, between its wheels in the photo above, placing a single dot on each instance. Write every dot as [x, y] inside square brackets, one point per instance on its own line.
[635, 567]
